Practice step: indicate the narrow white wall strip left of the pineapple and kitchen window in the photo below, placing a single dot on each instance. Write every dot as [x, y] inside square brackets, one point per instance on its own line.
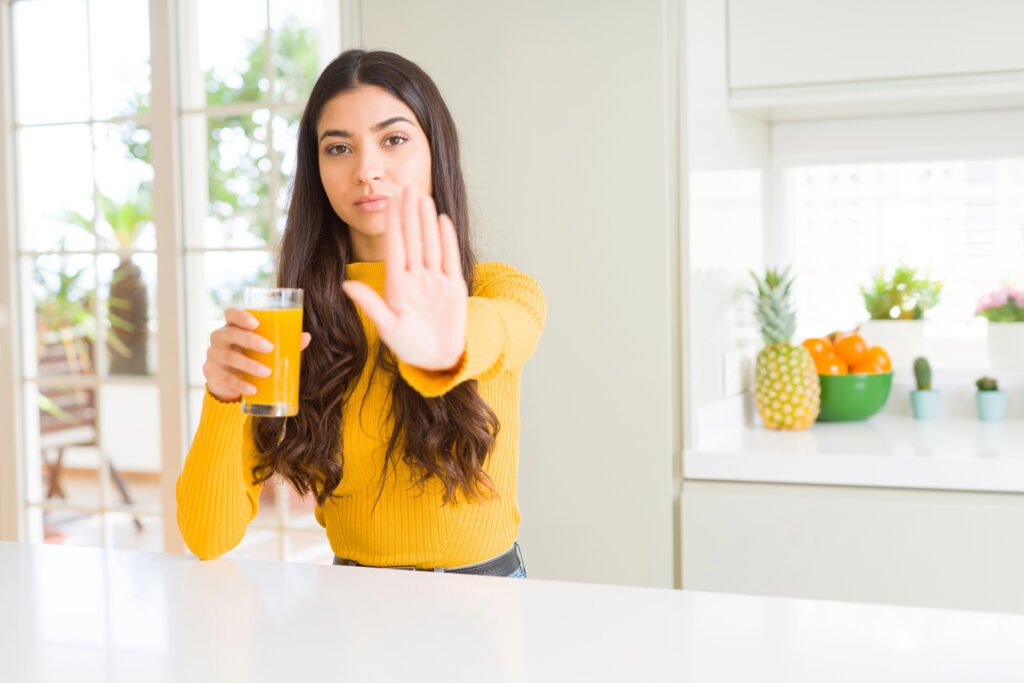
[730, 191]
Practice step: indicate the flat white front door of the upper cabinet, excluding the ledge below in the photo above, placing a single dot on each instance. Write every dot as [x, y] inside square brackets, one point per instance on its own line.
[803, 42]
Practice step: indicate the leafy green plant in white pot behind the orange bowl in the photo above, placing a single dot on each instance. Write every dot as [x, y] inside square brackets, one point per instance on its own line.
[897, 306]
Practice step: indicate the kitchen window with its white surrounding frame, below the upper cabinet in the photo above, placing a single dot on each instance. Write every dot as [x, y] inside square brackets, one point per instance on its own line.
[942, 193]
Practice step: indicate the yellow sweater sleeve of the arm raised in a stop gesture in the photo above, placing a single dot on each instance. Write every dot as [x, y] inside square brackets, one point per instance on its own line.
[504, 321]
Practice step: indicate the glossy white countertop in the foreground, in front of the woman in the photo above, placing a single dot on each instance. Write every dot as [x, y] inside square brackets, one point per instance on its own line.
[92, 615]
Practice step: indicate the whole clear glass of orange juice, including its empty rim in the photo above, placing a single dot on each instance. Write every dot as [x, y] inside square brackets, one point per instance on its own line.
[279, 311]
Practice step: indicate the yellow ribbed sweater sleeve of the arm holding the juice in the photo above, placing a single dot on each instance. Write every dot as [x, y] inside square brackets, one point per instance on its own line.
[216, 495]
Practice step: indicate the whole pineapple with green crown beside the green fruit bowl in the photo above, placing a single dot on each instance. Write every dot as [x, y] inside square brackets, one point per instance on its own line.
[788, 393]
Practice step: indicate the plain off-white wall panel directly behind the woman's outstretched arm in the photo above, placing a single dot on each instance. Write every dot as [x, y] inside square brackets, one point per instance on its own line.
[563, 113]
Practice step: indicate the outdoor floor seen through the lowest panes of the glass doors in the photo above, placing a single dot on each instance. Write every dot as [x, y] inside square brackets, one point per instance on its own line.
[79, 529]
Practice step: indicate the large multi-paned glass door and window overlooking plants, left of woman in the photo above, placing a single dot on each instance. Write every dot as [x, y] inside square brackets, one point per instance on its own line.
[89, 247]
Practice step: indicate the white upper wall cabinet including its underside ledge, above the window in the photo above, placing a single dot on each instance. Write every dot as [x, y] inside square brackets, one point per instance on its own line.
[801, 53]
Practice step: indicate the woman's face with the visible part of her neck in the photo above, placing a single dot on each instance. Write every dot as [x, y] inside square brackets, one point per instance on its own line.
[371, 148]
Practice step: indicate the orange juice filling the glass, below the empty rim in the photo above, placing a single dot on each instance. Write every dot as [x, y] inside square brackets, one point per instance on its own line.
[277, 395]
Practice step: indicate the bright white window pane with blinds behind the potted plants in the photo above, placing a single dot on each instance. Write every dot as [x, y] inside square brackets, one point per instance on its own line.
[960, 222]
